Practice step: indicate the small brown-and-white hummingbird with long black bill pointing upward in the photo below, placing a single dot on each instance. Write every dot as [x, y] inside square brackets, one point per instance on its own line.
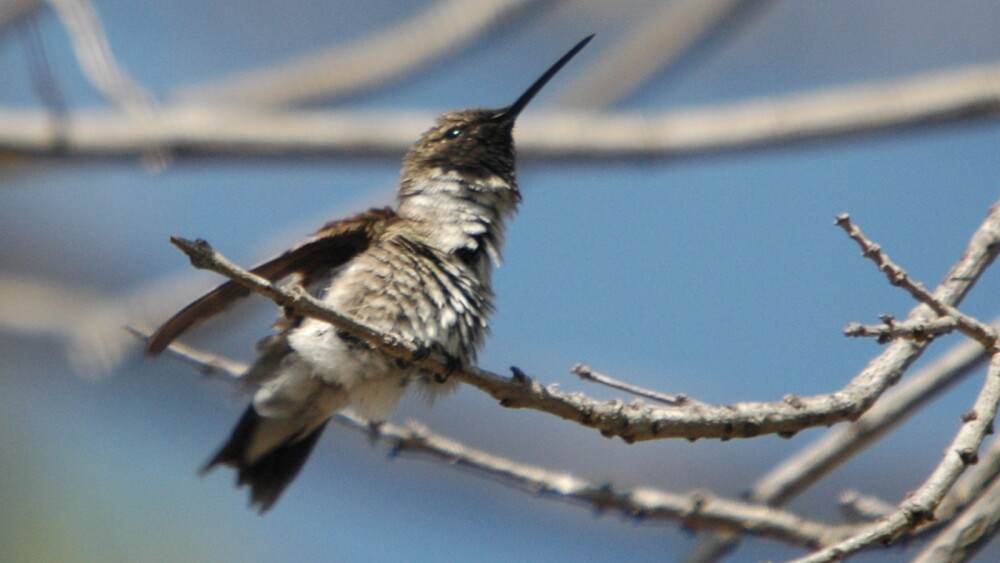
[420, 272]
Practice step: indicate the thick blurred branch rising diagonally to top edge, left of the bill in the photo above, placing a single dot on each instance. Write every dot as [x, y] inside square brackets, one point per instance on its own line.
[389, 54]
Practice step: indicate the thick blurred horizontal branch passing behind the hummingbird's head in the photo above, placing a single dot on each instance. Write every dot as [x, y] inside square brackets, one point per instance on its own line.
[970, 93]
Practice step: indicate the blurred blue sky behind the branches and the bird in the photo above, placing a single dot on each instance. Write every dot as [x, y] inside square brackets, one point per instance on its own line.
[720, 276]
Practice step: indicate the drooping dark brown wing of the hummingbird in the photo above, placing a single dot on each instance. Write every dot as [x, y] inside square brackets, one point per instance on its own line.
[332, 246]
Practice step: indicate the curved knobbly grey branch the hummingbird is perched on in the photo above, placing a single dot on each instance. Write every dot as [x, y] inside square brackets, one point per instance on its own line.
[638, 421]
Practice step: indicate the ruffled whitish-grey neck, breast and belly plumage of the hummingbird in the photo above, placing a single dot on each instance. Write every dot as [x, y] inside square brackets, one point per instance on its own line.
[425, 281]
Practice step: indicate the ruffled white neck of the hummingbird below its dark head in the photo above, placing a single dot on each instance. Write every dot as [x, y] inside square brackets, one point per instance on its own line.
[456, 213]
